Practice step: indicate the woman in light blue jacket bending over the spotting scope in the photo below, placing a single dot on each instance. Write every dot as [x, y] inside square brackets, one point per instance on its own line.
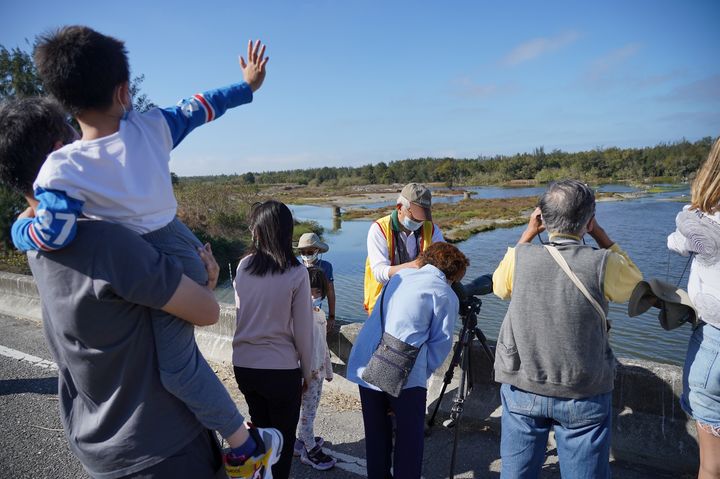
[420, 308]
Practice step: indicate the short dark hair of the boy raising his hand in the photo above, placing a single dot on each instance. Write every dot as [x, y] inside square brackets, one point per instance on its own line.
[81, 67]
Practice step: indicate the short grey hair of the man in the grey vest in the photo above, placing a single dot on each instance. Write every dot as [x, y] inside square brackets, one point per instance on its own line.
[567, 206]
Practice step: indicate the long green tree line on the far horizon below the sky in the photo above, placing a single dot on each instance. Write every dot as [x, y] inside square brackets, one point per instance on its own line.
[676, 161]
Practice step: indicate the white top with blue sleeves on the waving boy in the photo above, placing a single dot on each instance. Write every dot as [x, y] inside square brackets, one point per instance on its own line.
[122, 178]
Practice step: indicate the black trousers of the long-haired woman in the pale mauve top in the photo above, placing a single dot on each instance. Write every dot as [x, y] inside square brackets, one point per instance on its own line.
[273, 397]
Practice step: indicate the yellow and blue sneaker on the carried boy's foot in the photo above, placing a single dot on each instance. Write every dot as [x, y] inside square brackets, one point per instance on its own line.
[258, 466]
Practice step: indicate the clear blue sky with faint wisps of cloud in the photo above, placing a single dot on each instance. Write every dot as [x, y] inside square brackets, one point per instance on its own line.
[357, 82]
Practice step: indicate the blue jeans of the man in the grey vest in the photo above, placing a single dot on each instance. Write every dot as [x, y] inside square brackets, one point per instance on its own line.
[582, 431]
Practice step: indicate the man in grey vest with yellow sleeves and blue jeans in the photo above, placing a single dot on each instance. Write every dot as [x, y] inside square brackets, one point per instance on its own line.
[553, 357]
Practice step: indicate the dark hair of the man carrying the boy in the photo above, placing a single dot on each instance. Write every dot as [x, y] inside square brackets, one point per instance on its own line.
[29, 129]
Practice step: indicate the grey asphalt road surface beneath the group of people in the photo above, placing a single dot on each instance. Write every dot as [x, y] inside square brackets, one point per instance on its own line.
[32, 443]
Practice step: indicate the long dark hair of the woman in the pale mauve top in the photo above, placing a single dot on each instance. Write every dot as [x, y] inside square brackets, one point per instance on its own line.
[271, 225]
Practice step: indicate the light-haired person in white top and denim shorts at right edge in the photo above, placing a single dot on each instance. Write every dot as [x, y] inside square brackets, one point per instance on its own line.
[698, 233]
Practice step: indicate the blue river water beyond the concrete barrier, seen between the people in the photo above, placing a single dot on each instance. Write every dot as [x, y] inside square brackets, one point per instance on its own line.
[639, 226]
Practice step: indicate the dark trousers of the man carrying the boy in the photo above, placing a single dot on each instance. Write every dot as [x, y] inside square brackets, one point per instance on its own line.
[200, 458]
